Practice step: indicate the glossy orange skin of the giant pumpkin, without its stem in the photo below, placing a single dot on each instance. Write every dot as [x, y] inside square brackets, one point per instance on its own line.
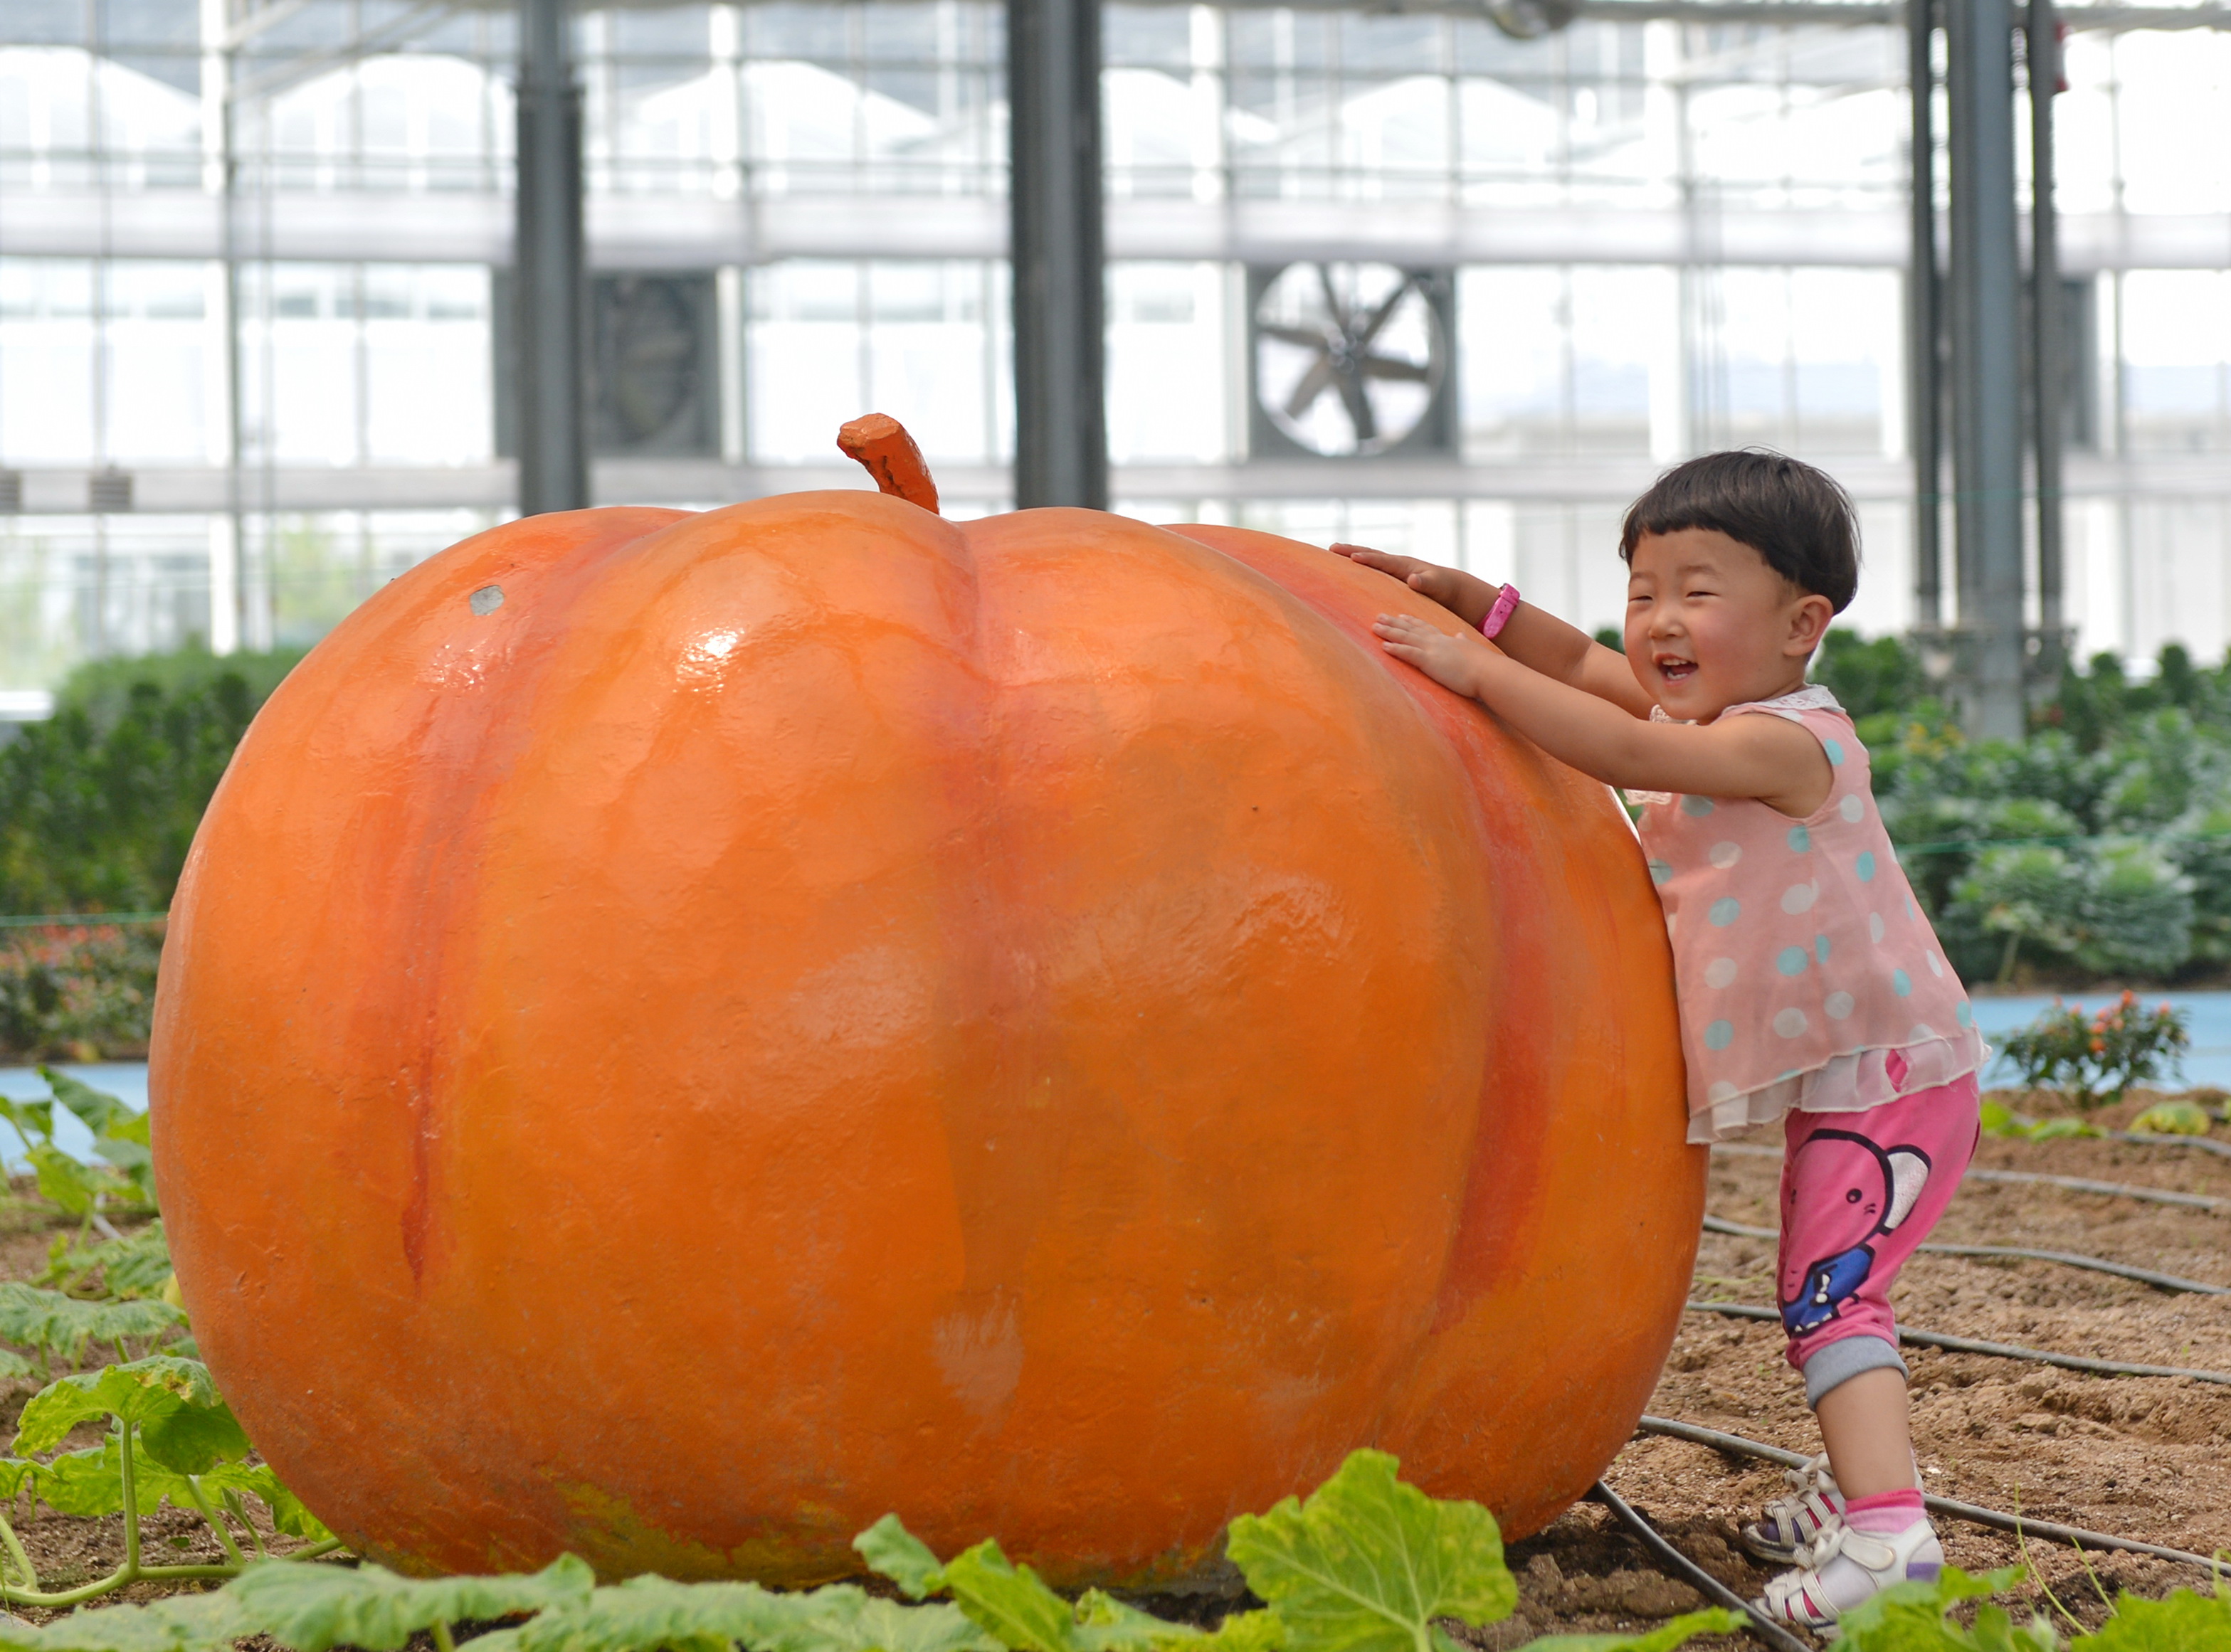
[809, 1011]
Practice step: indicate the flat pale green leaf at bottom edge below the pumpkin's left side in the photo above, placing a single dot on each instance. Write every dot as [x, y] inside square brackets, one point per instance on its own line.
[313, 1609]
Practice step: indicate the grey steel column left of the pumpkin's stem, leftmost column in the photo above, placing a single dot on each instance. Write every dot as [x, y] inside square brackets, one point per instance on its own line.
[550, 271]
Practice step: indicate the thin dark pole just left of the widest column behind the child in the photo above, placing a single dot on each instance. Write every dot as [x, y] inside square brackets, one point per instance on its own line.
[1924, 329]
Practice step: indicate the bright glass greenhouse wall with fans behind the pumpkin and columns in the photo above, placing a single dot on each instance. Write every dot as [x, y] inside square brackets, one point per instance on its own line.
[255, 284]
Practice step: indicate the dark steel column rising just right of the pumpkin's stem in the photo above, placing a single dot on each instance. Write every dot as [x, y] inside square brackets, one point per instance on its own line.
[1056, 231]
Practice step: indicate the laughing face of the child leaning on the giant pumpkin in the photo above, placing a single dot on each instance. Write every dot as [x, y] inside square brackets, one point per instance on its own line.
[1710, 625]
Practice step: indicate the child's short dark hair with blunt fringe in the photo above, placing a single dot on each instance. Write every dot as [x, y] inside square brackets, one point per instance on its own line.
[1788, 512]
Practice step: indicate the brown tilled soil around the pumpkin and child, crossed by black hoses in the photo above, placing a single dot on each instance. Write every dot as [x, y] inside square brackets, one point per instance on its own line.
[2136, 1457]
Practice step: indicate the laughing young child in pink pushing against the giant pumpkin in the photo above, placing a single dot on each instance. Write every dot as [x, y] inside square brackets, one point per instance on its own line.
[1810, 987]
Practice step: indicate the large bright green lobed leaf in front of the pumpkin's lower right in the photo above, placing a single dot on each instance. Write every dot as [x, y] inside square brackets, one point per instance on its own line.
[1369, 1564]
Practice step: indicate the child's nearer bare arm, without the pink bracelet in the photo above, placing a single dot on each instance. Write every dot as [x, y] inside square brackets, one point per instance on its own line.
[1766, 759]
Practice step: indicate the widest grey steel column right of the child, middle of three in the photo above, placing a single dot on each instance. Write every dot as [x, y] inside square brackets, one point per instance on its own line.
[1987, 367]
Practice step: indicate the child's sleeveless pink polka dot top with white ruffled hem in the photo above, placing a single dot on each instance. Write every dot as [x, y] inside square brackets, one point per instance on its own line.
[1806, 973]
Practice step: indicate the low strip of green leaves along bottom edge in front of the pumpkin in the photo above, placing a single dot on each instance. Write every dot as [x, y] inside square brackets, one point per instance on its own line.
[1366, 1564]
